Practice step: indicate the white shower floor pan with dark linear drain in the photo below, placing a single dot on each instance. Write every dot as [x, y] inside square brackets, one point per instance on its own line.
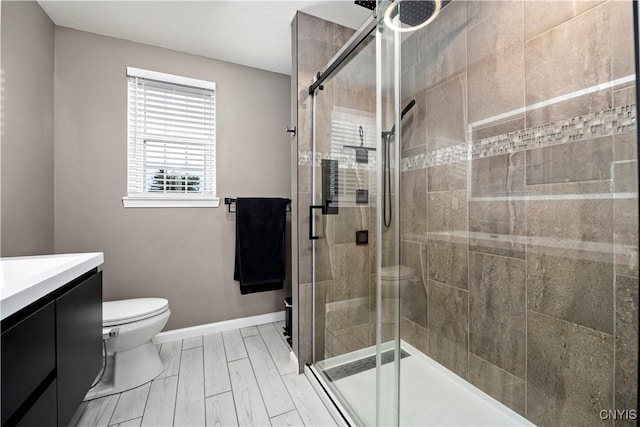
[430, 394]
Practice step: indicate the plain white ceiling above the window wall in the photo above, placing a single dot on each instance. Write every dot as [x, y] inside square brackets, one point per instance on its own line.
[252, 33]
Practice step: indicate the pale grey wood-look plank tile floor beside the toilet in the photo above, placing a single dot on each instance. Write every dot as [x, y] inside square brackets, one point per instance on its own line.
[242, 377]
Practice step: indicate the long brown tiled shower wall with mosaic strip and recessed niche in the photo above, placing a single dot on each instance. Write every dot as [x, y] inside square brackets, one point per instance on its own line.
[520, 203]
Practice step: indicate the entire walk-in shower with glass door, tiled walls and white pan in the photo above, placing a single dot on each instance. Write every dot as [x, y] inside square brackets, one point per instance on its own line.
[474, 261]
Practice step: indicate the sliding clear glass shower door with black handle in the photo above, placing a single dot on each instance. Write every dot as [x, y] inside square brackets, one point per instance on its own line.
[356, 219]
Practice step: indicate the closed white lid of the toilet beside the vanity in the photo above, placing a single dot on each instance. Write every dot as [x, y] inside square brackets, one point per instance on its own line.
[131, 310]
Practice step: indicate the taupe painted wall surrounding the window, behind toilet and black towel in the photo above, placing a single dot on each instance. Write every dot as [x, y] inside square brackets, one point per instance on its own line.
[182, 254]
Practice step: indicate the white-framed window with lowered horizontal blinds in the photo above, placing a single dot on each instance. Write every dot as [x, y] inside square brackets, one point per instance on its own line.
[171, 141]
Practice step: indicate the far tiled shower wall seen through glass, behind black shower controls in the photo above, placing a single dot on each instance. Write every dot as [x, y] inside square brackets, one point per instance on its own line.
[344, 316]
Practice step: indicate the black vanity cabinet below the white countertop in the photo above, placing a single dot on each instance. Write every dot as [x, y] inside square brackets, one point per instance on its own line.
[51, 352]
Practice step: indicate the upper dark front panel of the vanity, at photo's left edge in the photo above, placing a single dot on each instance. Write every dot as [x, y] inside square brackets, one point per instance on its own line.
[28, 358]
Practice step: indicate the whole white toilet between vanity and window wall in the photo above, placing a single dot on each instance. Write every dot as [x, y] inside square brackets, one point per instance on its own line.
[132, 358]
